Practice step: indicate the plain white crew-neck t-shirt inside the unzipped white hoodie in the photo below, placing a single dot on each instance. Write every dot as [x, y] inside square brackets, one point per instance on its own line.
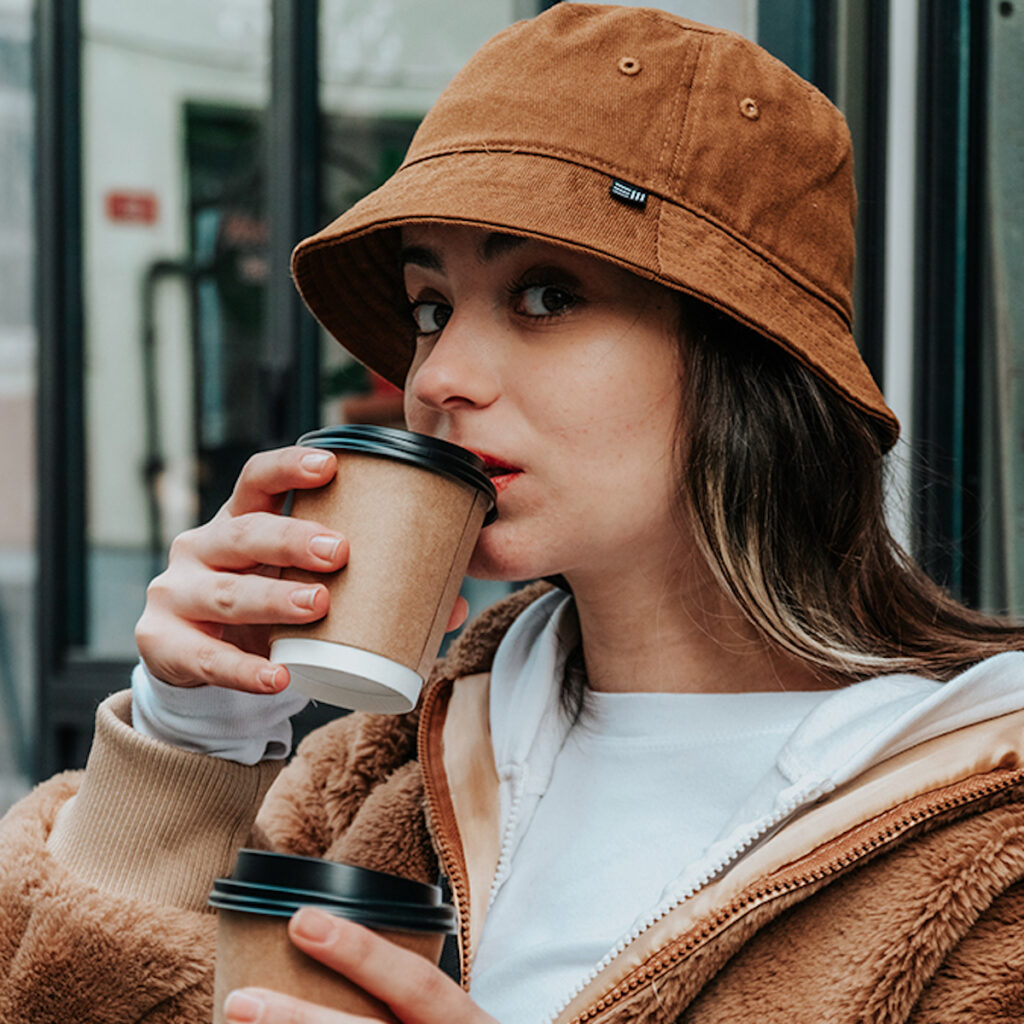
[639, 788]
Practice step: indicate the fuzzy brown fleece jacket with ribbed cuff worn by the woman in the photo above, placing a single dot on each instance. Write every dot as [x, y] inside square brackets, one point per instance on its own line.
[924, 926]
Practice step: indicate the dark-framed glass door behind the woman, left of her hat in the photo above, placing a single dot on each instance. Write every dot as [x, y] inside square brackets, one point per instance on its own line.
[184, 155]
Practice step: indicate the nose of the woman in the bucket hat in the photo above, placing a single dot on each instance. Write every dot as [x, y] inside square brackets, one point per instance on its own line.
[456, 369]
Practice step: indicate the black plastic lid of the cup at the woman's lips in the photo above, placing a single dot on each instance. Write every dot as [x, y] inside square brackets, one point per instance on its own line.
[417, 450]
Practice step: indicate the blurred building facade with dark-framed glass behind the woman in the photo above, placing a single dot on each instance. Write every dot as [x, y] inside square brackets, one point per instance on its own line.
[159, 160]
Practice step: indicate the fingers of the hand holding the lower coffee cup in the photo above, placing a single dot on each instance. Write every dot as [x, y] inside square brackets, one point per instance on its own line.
[416, 992]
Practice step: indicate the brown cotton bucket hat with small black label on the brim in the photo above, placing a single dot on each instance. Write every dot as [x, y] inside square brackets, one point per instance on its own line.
[682, 153]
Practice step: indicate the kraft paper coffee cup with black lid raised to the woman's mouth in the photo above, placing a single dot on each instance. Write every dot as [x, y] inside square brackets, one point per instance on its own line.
[412, 508]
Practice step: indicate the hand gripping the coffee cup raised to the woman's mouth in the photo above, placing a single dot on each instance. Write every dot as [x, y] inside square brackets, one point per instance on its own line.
[207, 617]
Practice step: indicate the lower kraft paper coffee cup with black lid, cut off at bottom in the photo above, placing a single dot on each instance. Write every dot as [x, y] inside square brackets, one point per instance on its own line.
[266, 889]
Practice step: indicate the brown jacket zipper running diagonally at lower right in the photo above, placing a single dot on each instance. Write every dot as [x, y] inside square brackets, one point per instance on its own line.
[961, 796]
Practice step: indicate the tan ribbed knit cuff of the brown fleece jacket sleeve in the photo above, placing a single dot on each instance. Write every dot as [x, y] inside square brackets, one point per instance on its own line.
[153, 822]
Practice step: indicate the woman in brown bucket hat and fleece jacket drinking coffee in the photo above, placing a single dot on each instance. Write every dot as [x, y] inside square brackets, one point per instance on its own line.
[742, 761]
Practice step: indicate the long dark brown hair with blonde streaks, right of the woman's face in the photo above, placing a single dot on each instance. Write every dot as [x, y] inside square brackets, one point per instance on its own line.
[782, 481]
